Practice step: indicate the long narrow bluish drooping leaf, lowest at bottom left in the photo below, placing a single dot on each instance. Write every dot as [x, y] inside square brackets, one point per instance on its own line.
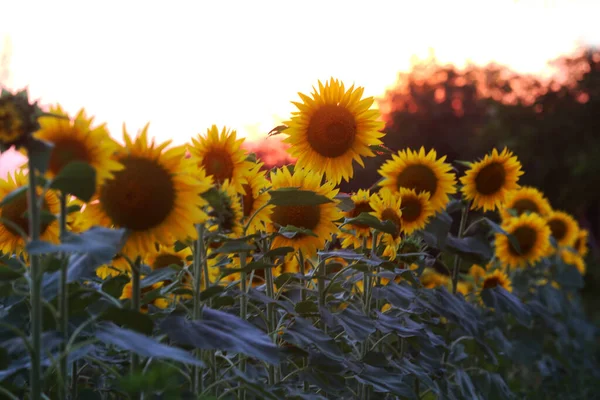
[145, 346]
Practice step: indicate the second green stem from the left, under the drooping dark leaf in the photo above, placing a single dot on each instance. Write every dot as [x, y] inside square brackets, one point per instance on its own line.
[63, 296]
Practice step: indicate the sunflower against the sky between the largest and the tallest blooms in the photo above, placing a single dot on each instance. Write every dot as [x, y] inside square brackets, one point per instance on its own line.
[221, 156]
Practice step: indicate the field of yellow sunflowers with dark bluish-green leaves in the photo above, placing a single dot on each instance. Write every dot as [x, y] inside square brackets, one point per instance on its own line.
[145, 270]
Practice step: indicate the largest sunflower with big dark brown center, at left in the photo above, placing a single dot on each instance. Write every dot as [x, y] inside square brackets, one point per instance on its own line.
[156, 198]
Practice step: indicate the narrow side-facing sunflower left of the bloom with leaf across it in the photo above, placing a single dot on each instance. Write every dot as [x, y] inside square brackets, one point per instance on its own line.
[255, 199]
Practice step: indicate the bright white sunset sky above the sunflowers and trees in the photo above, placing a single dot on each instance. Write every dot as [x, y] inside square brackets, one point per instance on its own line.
[185, 65]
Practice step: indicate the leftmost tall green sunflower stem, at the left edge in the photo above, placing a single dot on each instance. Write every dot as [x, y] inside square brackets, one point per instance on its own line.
[36, 288]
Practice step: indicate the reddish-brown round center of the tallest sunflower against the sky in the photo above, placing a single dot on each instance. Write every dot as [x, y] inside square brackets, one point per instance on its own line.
[332, 130]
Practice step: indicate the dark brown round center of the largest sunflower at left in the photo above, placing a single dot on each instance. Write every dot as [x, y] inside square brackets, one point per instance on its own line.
[141, 196]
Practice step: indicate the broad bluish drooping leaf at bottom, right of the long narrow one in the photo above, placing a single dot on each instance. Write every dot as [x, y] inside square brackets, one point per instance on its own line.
[222, 331]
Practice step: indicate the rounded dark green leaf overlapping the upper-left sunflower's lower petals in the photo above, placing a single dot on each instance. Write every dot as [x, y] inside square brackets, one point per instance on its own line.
[76, 178]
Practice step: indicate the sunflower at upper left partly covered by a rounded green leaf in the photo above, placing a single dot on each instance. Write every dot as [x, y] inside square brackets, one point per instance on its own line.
[77, 140]
